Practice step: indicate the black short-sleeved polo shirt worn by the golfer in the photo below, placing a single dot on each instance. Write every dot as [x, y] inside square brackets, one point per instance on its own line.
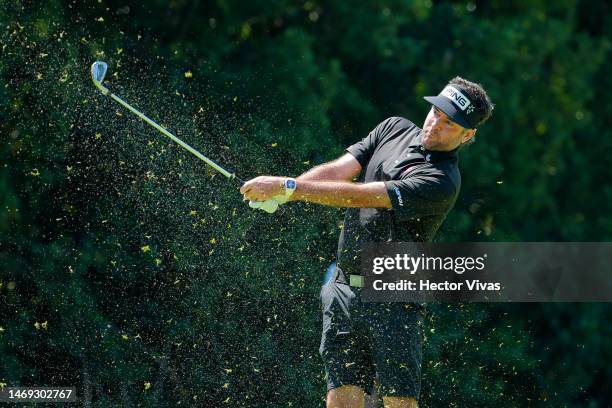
[423, 186]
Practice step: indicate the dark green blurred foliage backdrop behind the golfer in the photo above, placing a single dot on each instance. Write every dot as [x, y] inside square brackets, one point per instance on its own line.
[132, 271]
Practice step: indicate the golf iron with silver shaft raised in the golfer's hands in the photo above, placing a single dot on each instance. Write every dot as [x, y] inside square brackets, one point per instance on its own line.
[98, 72]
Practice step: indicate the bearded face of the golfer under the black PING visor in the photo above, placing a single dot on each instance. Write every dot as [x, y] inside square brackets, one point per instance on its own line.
[442, 134]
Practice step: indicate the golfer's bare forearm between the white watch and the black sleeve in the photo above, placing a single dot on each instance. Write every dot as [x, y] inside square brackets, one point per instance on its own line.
[342, 194]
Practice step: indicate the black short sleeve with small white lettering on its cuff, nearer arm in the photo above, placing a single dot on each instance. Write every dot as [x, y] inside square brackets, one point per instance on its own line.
[421, 196]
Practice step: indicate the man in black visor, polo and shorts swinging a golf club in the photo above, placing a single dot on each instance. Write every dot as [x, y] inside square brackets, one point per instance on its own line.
[407, 181]
